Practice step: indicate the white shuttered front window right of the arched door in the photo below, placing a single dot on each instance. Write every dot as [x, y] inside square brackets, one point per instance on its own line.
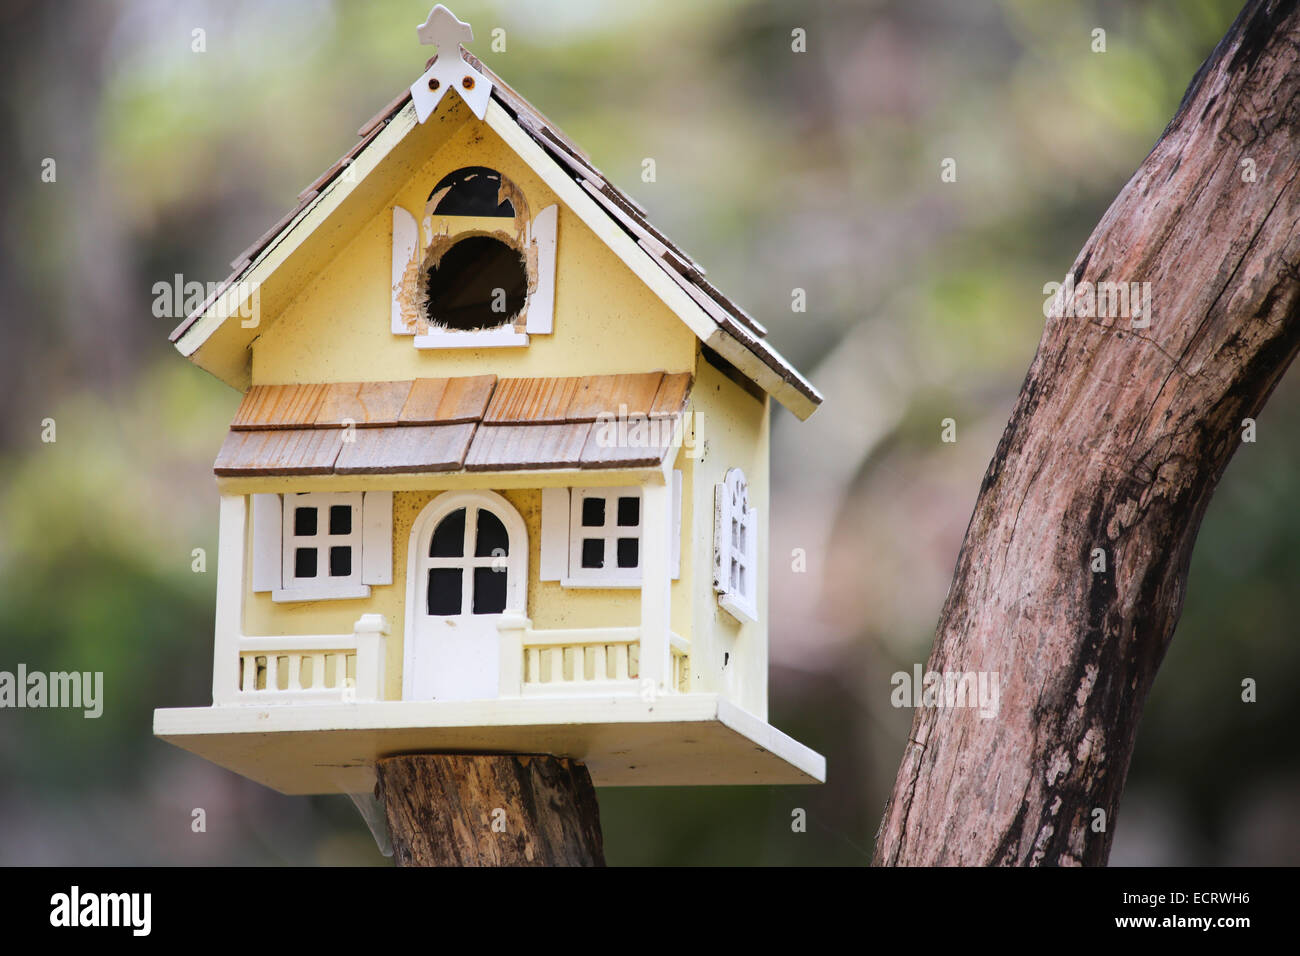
[564, 535]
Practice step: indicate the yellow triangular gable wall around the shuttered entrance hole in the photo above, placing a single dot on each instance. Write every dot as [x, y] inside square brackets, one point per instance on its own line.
[339, 327]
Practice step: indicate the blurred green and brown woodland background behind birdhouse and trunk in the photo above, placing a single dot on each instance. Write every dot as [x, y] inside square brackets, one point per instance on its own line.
[778, 171]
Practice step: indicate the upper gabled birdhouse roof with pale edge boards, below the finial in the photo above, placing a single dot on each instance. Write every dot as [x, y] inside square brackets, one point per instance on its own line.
[674, 276]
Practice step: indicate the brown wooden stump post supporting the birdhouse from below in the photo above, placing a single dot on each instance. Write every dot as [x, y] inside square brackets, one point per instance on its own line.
[489, 811]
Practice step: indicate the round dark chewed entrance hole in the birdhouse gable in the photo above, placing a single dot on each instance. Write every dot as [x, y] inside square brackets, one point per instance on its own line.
[479, 284]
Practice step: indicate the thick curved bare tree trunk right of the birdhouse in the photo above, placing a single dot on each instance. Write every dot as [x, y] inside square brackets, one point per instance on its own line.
[1117, 443]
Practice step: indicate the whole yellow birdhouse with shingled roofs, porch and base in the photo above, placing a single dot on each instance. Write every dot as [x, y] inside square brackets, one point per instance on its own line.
[500, 479]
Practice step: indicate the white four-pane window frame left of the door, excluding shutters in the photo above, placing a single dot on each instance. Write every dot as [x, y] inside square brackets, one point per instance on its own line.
[323, 587]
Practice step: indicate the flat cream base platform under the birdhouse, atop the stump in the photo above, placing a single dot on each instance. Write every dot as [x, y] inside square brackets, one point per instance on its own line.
[625, 742]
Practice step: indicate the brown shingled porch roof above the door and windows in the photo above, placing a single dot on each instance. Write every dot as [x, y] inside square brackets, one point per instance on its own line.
[475, 423]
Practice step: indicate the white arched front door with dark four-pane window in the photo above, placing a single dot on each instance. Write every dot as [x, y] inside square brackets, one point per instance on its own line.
[467, 570]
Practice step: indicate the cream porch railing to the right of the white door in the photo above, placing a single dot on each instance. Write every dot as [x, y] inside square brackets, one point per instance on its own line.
[592, 661]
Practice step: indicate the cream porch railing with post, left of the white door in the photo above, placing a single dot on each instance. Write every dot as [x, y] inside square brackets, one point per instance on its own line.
[314, 669]
